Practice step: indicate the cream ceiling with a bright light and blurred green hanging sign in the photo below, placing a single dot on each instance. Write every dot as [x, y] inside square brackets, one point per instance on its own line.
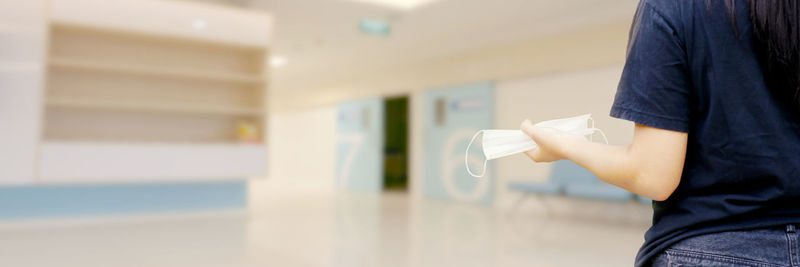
[323, 44]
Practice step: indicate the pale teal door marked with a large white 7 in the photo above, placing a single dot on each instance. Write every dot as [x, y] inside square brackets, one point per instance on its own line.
[359, 165]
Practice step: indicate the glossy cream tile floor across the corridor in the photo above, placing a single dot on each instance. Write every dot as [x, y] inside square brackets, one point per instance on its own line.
[343, 230]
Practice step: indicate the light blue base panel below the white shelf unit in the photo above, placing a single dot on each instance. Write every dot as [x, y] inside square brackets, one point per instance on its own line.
[33, 202]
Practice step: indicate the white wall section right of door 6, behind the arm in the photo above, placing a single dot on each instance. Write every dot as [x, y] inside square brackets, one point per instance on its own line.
[551, 97]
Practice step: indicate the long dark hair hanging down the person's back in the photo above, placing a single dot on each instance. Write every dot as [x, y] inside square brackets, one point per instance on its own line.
[776, 33]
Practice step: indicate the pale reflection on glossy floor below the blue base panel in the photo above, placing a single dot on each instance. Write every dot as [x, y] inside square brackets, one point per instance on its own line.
[209, 241]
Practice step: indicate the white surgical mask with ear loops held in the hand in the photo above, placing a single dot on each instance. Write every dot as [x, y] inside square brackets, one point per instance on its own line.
[501, 143]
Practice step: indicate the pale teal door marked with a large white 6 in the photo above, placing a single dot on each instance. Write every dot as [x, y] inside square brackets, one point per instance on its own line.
[452, 116]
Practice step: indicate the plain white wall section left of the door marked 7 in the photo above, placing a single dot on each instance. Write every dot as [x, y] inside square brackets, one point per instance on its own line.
[301, 156]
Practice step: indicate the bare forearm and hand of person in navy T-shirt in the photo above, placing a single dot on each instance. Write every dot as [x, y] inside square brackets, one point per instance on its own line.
[651, 166]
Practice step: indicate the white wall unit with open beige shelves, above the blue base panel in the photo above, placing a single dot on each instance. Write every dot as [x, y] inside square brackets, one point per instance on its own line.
[132, 91]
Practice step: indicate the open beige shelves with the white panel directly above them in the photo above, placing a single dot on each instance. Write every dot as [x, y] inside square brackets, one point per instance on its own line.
[139, 73]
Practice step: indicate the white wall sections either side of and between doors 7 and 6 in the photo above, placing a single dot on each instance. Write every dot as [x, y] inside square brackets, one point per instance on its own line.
[302, 145]
